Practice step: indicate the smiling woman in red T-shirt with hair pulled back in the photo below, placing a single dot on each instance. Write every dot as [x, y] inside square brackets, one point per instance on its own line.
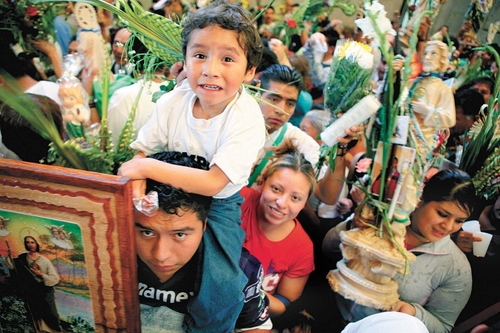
[273, 234]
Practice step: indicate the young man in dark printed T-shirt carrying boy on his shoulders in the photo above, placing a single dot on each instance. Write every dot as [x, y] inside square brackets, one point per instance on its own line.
[170, 257]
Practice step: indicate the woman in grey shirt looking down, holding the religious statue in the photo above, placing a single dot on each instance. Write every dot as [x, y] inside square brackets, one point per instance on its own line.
[440, 276]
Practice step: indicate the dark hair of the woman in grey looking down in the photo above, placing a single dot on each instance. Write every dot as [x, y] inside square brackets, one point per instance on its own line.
[451, 185]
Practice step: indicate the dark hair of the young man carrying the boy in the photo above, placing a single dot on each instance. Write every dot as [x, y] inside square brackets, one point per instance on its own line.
[171, 199]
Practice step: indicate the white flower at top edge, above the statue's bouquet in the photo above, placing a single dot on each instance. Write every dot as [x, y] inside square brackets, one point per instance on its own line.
[381, 20]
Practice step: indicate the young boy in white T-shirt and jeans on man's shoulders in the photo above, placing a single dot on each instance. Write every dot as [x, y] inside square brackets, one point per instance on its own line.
[212, 116]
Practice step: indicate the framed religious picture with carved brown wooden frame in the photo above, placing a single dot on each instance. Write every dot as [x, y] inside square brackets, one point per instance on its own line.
[67, 259]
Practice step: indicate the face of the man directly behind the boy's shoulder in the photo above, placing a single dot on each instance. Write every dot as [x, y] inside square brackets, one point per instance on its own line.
[283, 99]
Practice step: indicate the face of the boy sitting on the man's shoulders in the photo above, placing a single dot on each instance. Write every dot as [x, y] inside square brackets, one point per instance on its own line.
[216, 67]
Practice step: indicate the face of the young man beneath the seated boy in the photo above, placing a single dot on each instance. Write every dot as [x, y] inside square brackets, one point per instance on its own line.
[166, 242]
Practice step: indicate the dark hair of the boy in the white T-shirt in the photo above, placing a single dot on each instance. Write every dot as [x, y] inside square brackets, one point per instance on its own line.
[230, 17]
